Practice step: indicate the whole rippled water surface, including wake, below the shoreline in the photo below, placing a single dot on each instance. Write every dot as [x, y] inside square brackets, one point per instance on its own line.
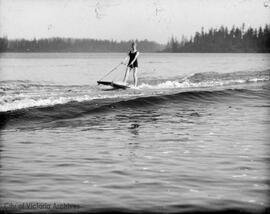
[194, 135]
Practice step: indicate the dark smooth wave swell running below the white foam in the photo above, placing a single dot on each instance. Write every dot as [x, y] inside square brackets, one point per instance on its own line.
[96, 106]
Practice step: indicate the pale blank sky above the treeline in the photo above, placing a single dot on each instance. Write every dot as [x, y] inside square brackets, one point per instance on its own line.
[155, 20]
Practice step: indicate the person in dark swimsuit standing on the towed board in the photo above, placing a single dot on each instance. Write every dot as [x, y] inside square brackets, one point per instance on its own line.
[132, 63]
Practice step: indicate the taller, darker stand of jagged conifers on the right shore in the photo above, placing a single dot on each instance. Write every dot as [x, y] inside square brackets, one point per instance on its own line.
[224, 40]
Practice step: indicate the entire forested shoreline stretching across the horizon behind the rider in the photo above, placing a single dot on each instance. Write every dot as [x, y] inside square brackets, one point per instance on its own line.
[221, 40]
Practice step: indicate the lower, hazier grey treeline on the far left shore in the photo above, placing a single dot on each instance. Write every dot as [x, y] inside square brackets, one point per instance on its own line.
[74, 45]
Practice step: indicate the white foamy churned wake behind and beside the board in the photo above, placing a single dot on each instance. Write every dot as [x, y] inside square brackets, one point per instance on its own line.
[15, 95]
